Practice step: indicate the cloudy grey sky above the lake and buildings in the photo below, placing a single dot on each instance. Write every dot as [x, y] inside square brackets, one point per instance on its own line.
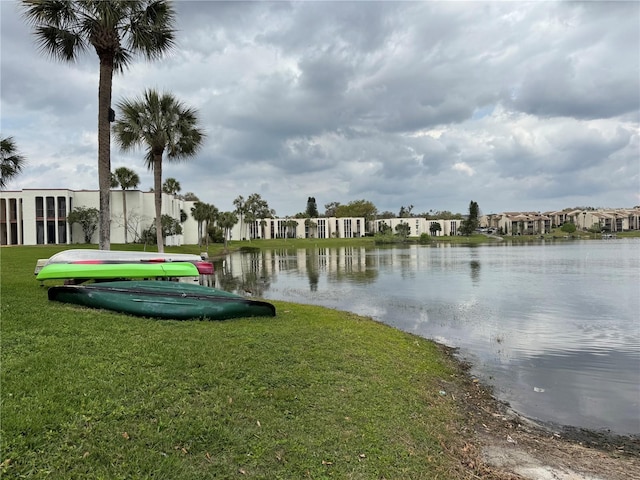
[517, 106]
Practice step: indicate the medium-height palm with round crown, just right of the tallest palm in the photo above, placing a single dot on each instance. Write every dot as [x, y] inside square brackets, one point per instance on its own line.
[158, 122]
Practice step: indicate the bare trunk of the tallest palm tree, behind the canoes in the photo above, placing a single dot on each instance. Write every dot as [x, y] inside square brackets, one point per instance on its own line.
[104, 151]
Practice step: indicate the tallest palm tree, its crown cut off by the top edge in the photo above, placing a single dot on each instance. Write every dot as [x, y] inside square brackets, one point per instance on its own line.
[116, 30]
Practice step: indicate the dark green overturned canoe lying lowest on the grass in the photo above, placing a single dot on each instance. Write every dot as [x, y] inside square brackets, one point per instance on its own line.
[159, 299]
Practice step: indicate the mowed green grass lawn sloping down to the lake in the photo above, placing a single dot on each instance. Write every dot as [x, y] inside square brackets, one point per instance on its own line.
[311, 393]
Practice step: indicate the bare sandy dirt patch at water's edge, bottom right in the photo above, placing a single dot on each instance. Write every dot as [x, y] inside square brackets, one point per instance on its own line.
[502, 445]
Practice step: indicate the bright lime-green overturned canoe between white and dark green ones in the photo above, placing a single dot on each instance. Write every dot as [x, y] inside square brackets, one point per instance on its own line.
[99, 271]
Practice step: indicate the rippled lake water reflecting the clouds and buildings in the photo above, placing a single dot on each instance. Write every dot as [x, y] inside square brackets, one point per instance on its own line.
[553, 327]
